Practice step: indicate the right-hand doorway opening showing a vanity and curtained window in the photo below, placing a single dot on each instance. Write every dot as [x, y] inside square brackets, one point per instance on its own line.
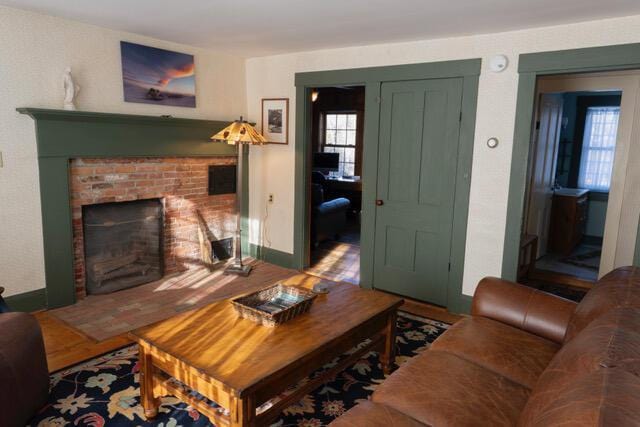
[577, 162]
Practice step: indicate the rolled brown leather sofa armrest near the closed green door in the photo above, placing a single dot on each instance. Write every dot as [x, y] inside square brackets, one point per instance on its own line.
[534, 311]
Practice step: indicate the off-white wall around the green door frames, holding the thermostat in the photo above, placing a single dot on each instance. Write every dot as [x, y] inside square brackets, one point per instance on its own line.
[272, 167]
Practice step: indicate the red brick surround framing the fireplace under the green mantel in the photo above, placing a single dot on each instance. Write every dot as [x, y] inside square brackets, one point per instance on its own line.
[181, 183]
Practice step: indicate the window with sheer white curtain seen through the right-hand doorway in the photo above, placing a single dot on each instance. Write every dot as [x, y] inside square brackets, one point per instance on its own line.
[598, 148]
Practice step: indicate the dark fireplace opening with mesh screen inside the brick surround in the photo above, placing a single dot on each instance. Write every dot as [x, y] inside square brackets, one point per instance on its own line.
[122, 244]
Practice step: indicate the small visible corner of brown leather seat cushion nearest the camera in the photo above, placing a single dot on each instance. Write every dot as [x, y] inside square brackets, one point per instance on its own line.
[371, 414]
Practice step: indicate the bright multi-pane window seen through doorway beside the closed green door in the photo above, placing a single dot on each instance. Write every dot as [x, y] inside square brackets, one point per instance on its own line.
[340, 137]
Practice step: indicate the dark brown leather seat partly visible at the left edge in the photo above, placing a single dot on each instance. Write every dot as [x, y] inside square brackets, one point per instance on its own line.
[24, 377]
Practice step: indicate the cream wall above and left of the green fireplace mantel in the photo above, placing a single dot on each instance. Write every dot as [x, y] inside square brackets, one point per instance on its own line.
[34, 51]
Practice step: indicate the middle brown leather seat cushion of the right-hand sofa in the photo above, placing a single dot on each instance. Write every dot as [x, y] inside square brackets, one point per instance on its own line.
[439, 388]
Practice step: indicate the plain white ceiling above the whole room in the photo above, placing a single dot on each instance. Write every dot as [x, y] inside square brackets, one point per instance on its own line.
[265, 27]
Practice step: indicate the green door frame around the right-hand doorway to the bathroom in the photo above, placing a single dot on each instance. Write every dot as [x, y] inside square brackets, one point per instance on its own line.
[531, 66]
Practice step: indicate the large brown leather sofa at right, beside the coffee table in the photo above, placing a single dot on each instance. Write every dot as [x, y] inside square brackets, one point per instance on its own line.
[523, 358]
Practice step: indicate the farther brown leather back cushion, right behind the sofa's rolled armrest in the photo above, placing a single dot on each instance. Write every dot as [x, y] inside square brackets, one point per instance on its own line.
[620, 288]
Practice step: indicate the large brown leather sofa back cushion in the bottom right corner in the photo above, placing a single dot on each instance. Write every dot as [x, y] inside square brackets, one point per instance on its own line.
[608, 349]
